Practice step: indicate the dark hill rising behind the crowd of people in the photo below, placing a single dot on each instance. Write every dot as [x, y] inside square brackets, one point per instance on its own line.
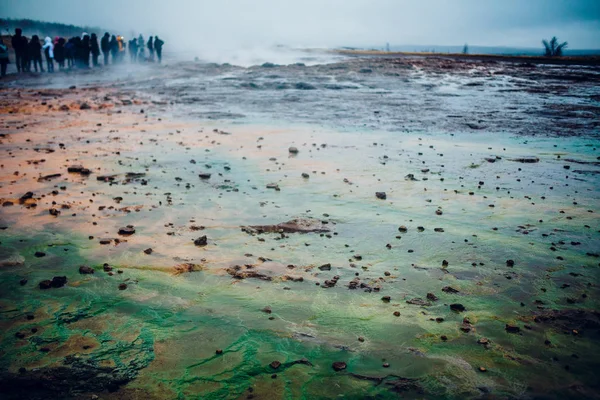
[41, 28]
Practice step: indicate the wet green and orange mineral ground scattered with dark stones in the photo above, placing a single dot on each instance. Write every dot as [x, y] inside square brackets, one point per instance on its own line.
[442, 234]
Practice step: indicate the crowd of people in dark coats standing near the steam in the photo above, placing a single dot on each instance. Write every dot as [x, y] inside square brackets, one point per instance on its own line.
[77, 52]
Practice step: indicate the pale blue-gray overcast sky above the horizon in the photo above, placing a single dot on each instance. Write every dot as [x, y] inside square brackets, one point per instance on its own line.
[315, 23]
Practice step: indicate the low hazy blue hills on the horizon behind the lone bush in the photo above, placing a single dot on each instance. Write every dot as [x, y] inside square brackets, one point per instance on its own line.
[497, 50]
